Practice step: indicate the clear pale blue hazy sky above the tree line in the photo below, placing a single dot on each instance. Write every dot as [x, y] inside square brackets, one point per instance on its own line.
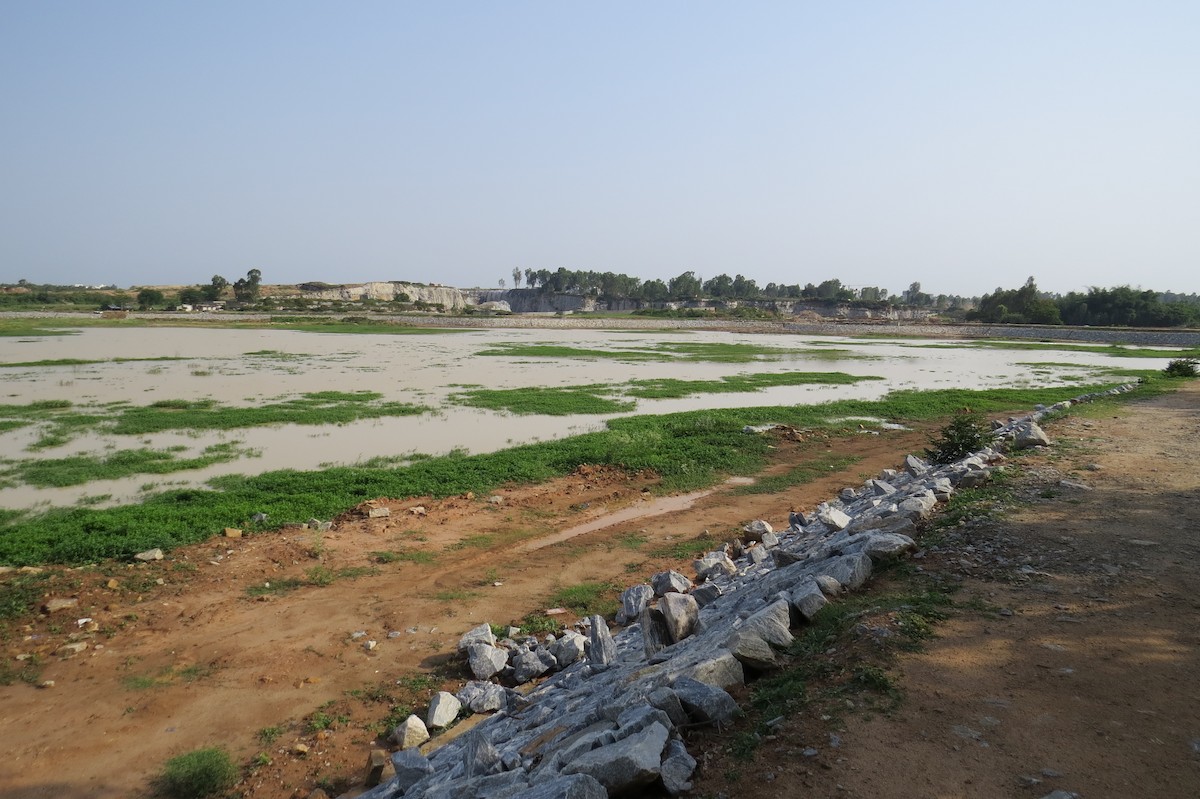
[963, 146]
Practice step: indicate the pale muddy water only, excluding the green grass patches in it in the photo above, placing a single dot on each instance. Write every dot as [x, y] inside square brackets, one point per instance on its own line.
[244, 368]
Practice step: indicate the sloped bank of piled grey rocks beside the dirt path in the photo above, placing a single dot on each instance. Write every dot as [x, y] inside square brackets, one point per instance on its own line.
[609, 722]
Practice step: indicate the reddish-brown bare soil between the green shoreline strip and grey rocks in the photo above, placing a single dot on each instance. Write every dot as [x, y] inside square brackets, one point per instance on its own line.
[199, 663]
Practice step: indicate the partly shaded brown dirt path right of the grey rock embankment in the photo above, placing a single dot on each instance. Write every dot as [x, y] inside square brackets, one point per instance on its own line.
[1081, 671]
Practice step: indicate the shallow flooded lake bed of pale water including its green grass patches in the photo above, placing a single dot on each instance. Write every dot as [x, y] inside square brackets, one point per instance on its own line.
[427, 380]
